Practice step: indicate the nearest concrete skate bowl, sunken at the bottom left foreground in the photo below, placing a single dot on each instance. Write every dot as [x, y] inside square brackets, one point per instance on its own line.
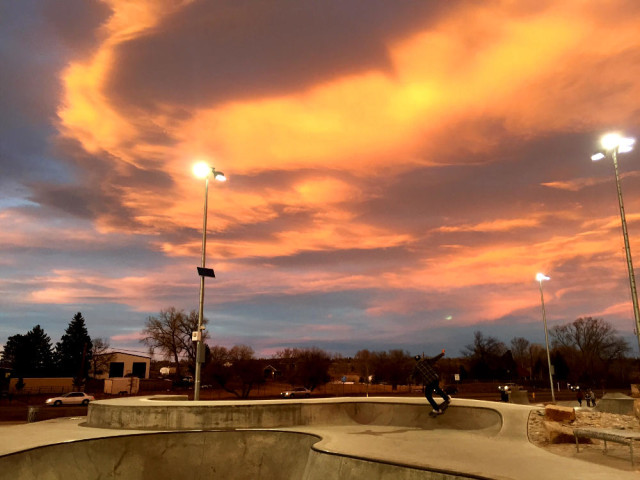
[230, 455]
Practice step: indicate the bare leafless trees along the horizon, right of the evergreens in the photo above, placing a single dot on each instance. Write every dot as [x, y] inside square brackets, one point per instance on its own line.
[587, 351]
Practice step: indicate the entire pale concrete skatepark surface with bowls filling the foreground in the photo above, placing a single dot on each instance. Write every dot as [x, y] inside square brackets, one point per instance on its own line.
[355, 438]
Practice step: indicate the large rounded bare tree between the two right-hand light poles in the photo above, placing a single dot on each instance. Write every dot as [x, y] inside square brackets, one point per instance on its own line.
[589, 345]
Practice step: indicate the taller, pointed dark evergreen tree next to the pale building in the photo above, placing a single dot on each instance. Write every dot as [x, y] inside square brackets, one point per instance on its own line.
[73, 351]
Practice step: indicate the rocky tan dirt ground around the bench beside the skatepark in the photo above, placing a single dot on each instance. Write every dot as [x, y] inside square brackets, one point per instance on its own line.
[617, 456]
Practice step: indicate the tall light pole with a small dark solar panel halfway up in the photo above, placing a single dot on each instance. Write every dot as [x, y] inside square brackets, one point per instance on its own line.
[203, 170]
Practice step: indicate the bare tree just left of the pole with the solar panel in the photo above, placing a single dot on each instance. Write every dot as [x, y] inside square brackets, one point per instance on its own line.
[170, 333]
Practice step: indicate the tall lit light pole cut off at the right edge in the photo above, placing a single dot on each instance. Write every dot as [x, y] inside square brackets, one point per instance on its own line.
[613, 144]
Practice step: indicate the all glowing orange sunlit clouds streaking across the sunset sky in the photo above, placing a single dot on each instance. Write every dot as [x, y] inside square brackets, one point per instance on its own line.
[532, 71]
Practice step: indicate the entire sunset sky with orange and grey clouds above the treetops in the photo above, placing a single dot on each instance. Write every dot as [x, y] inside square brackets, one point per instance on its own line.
[398, 171]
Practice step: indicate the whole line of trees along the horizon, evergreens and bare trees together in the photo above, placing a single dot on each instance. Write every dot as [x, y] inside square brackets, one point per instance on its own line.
[587, 351]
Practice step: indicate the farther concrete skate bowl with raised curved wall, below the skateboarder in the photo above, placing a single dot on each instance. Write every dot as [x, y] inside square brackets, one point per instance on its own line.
[162, 413]
